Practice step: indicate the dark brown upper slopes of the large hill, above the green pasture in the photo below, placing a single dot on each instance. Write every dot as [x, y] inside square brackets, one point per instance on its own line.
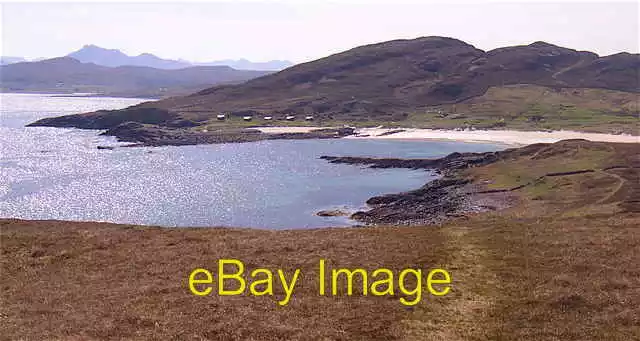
[401, 75]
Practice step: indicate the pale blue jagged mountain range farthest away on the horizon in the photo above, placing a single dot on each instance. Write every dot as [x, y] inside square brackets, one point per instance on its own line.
[113, 58]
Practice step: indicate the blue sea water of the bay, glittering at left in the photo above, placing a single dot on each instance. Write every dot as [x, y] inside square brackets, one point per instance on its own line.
[55, 173]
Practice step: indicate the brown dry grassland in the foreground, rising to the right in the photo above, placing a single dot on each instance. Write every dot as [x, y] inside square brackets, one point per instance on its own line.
[563, 264]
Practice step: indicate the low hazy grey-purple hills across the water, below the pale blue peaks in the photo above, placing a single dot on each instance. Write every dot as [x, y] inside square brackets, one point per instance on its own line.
[68, 75]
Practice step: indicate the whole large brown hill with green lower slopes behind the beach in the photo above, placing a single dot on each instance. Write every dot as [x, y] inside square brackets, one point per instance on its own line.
[431, 82]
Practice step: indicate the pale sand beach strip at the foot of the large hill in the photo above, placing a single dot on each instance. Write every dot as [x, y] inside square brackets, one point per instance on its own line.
[510, 137]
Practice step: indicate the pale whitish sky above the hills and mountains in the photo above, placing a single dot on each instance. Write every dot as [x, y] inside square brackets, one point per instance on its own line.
[306, 30]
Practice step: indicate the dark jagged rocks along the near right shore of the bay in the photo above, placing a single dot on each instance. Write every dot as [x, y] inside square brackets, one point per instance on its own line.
[441, 199]
